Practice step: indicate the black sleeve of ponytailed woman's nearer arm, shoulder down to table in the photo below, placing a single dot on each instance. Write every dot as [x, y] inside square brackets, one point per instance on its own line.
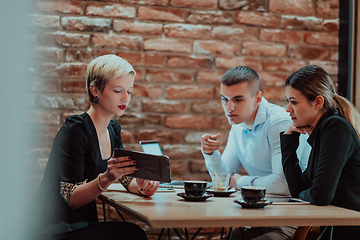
[334, 151]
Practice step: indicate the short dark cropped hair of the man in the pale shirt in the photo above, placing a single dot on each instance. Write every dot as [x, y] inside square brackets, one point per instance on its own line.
[242, 74]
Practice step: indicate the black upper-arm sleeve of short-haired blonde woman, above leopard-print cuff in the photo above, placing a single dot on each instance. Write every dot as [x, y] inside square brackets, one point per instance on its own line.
[71, 143]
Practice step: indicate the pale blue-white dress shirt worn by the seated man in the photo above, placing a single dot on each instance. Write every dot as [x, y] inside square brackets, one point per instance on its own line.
[258, 150]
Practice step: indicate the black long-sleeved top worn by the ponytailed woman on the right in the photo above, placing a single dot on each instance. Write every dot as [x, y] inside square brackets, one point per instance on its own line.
[333, 172]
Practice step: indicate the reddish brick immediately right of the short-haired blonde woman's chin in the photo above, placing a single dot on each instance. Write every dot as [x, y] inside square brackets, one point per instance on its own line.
[137, 120]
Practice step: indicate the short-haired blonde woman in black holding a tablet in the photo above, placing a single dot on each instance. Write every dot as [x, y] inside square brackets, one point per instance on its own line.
[81, 166]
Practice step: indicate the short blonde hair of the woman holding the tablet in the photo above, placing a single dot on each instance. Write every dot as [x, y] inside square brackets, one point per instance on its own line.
[104, 69]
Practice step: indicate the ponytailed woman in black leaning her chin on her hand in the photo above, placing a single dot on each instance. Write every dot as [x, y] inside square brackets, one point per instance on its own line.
[333, 172]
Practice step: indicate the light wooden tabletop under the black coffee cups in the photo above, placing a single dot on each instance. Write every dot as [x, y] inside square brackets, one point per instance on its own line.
[167, 210]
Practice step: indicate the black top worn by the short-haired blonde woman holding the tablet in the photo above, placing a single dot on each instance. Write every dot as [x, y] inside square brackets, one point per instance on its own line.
[75, 156]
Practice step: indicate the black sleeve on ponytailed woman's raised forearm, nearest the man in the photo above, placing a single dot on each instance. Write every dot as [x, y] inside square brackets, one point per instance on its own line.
[295, 178]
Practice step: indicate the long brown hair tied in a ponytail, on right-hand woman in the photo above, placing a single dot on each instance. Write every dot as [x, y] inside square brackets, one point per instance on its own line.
[312, 81]
